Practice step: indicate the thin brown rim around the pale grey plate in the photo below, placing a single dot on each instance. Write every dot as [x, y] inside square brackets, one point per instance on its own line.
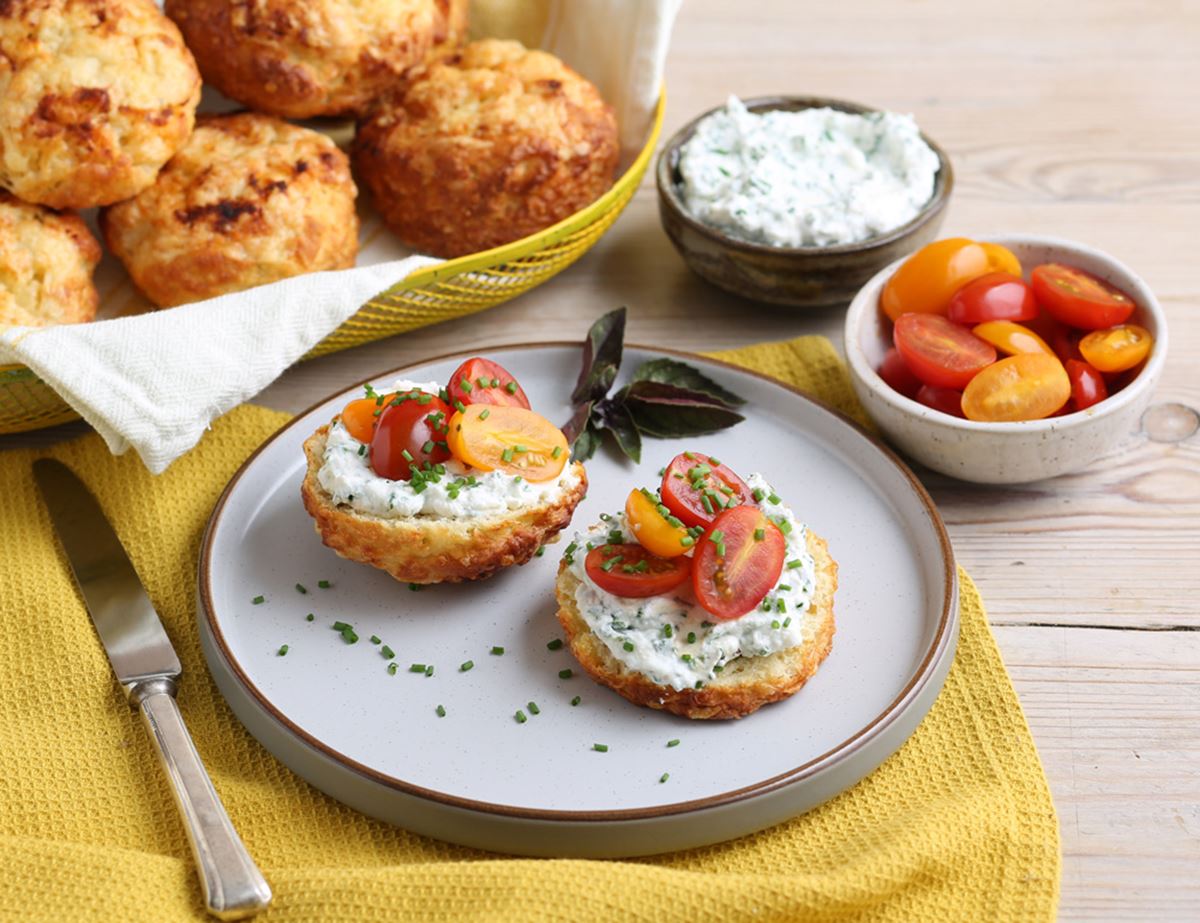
[923, 675]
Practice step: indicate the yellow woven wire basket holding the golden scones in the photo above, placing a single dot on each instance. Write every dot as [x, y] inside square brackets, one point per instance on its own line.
[454, 289]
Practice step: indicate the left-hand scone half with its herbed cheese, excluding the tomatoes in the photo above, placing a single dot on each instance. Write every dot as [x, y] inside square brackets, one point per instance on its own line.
[463, 525]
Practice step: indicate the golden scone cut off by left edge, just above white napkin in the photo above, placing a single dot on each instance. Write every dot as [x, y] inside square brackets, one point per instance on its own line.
[46, 265]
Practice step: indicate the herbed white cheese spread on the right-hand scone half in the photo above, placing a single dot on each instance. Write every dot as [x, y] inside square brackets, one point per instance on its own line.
[675, 642]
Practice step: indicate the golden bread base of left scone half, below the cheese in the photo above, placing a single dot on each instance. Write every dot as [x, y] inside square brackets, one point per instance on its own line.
[429, 550]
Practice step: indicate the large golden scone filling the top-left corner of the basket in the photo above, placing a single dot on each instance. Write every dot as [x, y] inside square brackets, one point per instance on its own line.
[95, 98]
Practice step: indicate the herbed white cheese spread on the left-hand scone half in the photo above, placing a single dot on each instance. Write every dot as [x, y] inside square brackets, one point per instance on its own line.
[463, 494]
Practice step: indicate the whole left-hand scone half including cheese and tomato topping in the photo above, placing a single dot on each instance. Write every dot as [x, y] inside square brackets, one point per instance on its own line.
[442, 484]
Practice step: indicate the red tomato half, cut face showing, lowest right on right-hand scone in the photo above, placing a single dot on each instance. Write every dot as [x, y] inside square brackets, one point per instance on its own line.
[734, 567]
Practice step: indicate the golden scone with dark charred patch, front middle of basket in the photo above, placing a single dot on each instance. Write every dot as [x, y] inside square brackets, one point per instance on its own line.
[250, 200]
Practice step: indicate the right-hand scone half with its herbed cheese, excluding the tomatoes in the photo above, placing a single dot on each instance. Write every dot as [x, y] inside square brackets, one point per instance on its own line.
[668, 652]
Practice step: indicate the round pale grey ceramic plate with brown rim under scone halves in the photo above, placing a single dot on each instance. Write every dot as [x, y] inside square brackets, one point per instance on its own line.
[333, 714]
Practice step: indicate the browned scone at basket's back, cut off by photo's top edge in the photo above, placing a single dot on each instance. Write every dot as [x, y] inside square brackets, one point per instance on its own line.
[305, 58]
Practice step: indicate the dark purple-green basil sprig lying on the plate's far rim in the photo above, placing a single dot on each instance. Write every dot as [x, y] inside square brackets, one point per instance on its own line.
[667, 398]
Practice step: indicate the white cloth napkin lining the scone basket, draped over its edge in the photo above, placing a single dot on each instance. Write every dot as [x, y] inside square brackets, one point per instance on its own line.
[157, 381]
